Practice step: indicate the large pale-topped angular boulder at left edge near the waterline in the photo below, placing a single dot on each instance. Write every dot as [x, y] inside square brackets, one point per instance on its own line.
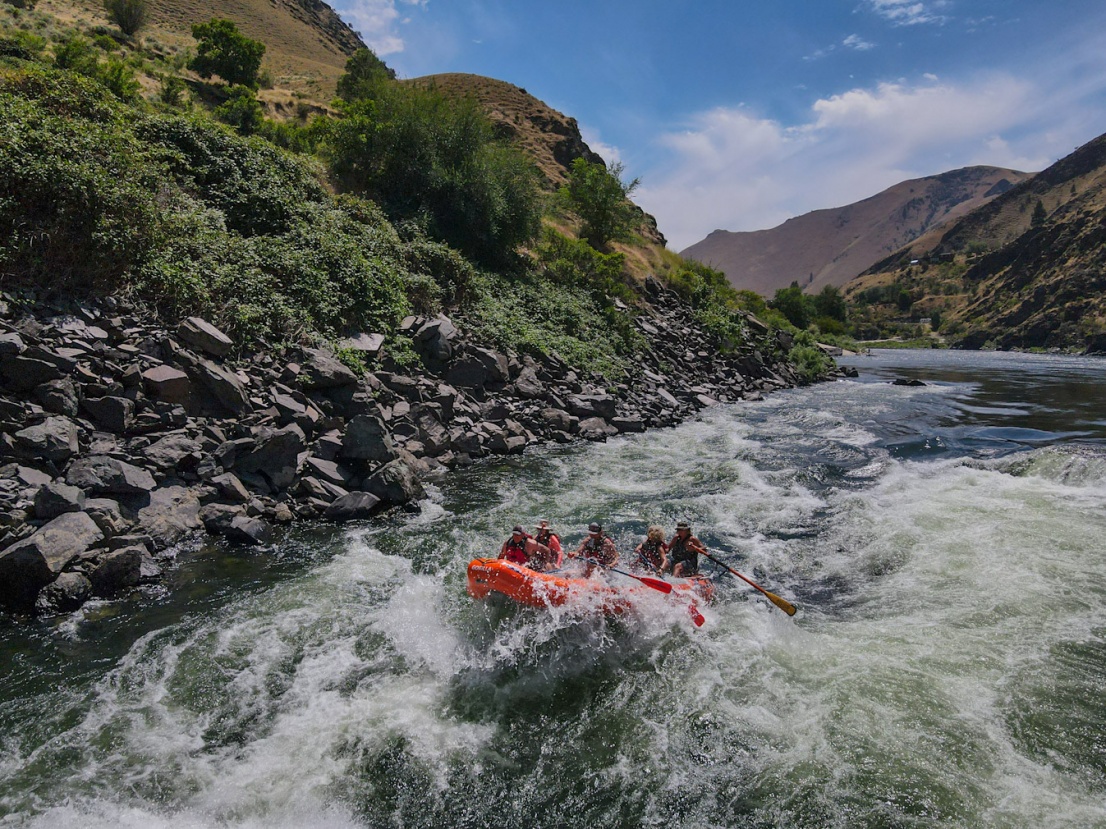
[28, 566]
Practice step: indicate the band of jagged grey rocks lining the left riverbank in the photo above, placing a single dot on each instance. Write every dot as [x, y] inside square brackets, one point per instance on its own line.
[124, 437]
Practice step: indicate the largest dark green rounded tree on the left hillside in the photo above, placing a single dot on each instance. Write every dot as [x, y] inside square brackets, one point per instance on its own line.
[435, 161]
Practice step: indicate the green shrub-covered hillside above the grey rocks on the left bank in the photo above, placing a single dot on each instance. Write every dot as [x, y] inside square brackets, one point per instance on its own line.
[306, 230]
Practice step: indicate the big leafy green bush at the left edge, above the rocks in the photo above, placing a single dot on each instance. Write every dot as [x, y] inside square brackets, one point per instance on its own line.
[78, 197]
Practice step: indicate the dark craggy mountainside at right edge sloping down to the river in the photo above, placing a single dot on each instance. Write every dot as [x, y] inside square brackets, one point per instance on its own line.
[1027, 270]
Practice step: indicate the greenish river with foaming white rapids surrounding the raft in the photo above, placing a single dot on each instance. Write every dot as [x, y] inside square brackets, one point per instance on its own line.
[945, 545]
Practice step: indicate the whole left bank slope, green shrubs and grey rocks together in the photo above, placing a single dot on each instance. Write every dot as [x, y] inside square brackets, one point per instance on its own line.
[213, 321]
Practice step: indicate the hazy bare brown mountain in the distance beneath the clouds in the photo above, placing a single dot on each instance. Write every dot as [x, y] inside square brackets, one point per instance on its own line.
[831, 247]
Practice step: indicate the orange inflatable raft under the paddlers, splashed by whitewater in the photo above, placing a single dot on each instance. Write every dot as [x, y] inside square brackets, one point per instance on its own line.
[551, 590]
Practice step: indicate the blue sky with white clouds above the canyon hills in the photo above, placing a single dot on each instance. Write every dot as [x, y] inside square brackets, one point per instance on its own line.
[739, 116]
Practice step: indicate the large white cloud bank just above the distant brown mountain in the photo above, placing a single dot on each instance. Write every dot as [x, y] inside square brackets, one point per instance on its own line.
[736, 171]
